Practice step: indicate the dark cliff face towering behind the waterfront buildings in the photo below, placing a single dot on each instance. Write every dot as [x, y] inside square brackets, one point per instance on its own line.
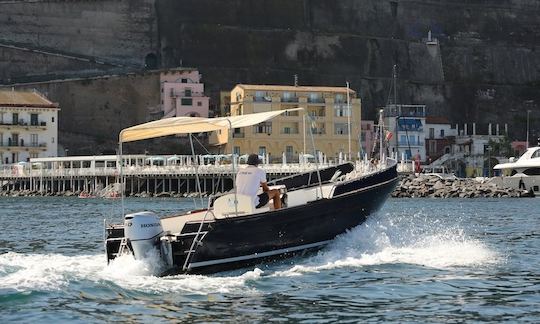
[485, 67]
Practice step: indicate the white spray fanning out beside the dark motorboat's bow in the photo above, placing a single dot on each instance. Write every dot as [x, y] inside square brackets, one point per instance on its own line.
[399, 239]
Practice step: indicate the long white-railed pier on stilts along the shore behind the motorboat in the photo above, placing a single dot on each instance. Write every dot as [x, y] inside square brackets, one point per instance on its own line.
[181, 174]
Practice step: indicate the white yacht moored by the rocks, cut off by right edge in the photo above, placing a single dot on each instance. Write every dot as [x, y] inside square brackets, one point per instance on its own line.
[523, 174]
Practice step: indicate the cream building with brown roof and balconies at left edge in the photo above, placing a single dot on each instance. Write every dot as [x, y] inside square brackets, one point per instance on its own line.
[28, 126]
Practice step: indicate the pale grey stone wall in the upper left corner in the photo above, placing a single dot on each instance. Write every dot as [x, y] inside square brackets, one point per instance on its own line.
[120, 31]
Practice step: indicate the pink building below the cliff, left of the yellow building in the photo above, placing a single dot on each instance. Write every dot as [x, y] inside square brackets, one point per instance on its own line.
[182, 94]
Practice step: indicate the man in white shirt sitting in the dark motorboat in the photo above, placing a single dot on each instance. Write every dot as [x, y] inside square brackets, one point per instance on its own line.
[250, 178]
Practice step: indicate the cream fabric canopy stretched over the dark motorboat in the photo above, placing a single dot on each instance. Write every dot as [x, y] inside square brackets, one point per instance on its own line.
[186, 125]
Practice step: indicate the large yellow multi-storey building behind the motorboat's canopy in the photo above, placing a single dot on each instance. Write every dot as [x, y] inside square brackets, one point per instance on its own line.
[325, 110]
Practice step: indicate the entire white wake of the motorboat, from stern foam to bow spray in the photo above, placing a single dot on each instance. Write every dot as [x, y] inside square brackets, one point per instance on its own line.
[385, 239]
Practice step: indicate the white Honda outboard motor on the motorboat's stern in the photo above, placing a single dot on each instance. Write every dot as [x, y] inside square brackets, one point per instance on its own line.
[143, 230]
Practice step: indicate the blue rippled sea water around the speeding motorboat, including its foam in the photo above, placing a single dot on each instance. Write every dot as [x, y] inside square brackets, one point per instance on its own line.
[417, 260]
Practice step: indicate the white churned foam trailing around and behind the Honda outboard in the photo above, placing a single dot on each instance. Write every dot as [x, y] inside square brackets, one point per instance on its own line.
[52, 272]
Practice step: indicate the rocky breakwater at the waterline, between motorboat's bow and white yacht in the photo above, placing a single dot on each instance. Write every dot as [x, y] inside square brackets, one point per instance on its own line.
[435, 187]
